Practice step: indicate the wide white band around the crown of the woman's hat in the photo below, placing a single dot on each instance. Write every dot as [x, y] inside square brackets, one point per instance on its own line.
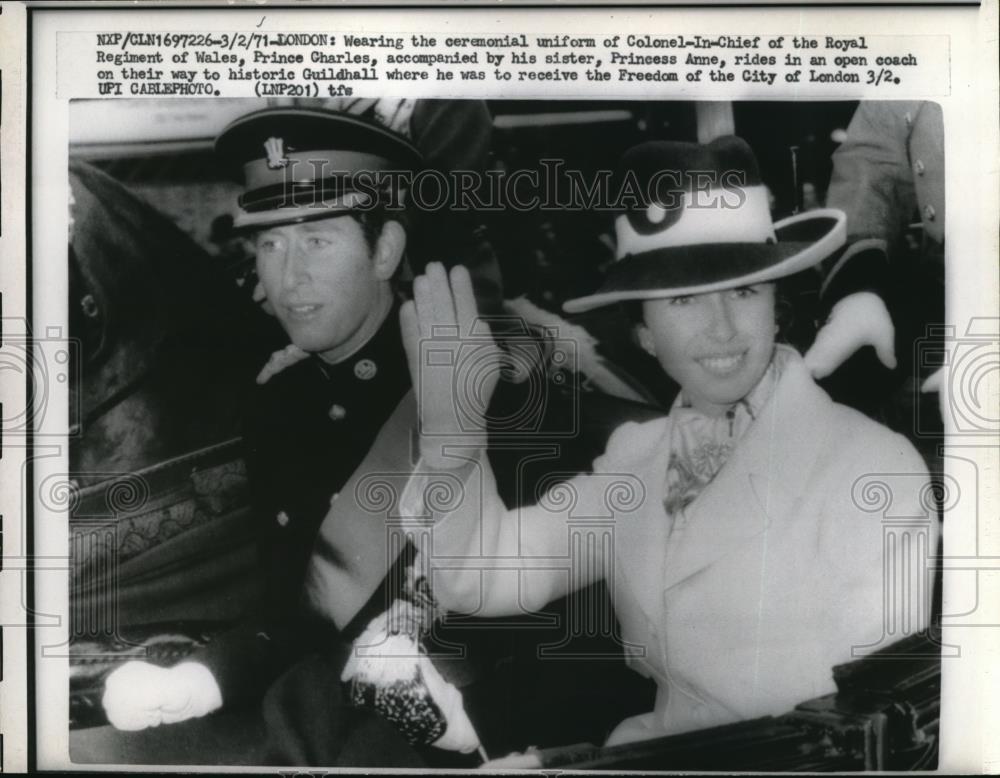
[738, 215]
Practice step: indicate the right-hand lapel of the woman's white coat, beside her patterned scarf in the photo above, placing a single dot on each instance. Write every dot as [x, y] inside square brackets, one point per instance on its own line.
[760, 484]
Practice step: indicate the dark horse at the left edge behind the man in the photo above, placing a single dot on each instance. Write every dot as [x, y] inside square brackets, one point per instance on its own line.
[168, 345]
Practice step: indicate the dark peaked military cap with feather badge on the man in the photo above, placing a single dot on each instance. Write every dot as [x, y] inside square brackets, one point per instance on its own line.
[301, 163]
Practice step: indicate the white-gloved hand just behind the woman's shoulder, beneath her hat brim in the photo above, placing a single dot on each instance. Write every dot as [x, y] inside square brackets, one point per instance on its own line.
[860, 319]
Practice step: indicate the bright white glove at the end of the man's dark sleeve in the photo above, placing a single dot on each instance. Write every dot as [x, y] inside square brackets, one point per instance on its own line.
[139, 695]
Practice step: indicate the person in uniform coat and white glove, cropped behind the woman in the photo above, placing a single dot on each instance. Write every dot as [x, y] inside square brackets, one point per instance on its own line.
[888, 171]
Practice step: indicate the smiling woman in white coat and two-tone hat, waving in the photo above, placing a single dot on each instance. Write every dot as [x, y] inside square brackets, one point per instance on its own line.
[753, 538]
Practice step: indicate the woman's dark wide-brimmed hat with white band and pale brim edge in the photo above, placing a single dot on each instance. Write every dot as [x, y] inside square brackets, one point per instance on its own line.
[696, 218]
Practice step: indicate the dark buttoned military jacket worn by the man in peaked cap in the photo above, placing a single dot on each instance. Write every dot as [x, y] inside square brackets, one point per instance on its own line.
[308, 429]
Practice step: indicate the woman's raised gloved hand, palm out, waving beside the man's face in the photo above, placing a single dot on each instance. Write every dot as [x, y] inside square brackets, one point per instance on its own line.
[454, 364]
